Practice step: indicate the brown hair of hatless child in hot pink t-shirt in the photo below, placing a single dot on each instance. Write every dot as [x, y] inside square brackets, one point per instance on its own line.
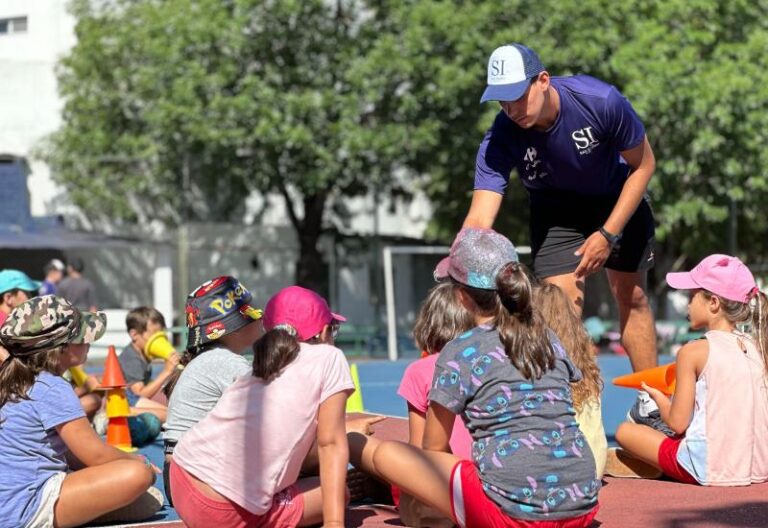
[441, 318]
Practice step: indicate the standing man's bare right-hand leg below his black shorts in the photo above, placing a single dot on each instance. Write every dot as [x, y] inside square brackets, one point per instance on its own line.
[638, 332]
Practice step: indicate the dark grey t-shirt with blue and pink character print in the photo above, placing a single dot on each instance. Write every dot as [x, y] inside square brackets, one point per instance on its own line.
[530, 455]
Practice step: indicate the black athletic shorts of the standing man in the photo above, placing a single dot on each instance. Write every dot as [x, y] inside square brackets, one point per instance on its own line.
[560, 223]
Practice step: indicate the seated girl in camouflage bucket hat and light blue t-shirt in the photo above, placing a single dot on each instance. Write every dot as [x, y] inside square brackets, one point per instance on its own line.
[43, 430]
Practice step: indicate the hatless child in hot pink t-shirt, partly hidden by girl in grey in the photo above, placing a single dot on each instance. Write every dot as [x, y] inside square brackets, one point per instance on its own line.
[440, 319]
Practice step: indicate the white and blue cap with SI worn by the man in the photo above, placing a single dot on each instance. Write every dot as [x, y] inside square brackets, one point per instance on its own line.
[510, 70]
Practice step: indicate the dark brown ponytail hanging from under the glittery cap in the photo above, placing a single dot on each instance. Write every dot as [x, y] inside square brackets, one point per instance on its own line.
[522, 330]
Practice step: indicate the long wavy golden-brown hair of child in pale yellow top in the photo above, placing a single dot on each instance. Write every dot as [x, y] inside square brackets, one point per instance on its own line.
[558, 312]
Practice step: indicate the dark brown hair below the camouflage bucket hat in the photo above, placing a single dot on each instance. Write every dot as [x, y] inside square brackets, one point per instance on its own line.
[18, 373]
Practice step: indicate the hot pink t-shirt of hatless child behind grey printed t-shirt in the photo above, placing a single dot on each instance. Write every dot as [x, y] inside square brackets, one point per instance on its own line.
[415, 386]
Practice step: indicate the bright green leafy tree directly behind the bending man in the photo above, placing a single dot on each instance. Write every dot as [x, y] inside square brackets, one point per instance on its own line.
[695, 71]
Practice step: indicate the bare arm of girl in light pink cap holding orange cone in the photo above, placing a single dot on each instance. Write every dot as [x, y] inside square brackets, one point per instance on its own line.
[677, 413]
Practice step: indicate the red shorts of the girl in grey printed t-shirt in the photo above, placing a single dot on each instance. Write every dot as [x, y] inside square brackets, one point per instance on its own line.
[472, 507]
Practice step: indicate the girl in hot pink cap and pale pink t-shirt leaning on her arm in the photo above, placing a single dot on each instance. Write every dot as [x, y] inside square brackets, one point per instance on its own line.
[240, 465]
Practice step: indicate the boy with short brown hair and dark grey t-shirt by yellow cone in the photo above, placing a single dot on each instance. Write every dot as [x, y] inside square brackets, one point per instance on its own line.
[143, 323]
